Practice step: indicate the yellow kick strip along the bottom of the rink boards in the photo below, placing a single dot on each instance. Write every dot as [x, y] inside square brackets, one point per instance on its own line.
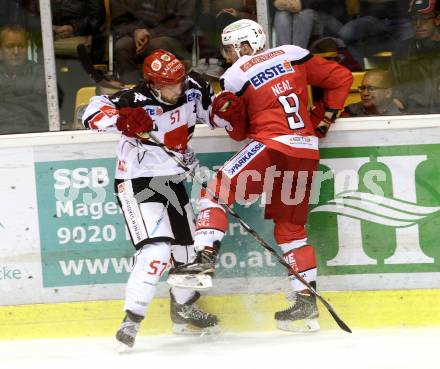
[360, 309]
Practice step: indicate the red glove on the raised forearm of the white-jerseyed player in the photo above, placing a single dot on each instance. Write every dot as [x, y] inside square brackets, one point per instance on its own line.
[134, 121]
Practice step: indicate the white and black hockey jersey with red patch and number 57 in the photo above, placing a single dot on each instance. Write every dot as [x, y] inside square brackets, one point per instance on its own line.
[173, 125]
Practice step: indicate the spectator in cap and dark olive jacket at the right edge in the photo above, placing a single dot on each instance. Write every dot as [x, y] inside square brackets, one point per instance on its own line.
[415, 64]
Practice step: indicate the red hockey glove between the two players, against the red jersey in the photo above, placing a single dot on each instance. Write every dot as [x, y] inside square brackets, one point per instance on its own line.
[228, 107]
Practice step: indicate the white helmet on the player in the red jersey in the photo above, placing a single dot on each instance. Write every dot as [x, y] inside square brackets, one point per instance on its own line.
[244, 30]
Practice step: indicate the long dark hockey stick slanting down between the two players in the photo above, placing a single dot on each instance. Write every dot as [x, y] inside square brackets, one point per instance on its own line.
[248, 228]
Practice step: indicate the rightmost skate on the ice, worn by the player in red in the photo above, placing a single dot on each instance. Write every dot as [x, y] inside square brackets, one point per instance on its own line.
[301, 317]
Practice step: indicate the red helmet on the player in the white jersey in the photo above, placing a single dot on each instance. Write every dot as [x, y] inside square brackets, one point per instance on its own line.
[163, 68]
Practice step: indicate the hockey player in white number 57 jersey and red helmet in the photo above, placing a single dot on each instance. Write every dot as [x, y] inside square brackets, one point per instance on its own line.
[149, 184]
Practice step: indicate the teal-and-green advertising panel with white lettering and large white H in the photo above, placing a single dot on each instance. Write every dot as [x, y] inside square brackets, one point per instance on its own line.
[375, 210]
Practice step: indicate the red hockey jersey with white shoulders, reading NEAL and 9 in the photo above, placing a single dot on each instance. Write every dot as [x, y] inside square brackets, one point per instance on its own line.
[273, 86]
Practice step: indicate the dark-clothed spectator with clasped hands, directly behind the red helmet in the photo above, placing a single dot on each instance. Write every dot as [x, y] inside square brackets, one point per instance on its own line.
[141, 26]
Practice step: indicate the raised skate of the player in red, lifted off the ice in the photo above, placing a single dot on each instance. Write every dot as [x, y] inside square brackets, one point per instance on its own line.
[197, 274]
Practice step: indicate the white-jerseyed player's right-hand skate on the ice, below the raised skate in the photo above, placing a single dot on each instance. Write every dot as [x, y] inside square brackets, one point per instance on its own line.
[188, 318]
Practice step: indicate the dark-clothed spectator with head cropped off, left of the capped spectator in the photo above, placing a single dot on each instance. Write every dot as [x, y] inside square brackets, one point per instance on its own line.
[380, 24]
